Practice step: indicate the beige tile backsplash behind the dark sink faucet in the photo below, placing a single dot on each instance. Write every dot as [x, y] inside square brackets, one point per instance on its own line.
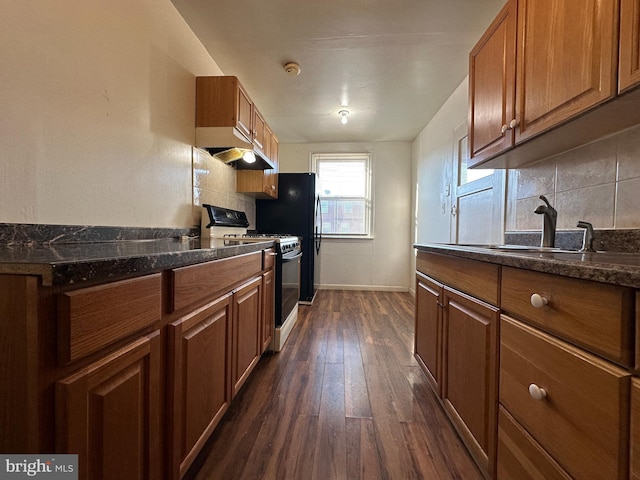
[598, 183]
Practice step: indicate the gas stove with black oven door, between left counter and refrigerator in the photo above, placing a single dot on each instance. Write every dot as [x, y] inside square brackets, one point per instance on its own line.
[231, 226]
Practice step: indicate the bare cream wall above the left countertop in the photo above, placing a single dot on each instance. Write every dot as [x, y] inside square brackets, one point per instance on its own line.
[97, 112]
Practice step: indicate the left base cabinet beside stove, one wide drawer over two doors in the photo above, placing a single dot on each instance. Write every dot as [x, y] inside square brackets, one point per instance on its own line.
[214, 343]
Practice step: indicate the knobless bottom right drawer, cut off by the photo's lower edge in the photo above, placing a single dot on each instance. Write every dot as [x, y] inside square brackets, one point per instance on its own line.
[520, 457]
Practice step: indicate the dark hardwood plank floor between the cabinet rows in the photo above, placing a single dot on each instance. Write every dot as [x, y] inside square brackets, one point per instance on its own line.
[344, 399]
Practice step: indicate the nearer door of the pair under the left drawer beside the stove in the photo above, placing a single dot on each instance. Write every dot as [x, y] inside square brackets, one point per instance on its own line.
[199, 361]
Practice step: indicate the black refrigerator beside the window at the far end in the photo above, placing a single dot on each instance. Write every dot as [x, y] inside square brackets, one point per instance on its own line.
[296, 212]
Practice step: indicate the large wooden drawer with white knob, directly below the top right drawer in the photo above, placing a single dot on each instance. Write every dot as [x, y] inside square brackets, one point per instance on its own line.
[582, 421]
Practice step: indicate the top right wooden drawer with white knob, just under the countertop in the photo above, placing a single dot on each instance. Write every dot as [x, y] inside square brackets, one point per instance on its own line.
[594, 315]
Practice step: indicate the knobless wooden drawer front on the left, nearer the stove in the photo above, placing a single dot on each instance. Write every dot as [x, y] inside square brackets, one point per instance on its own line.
[204, 281]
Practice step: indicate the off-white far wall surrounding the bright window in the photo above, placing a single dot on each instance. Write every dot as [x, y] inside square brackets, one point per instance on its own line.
[384, 262]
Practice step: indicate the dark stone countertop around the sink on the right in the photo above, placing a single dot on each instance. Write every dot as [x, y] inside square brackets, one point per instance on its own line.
[608, 267]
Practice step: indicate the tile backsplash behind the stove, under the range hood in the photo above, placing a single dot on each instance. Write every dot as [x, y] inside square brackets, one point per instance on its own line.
[214, 183]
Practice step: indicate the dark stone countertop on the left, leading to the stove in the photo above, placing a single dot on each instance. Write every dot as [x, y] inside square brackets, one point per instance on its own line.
[62, 264]
